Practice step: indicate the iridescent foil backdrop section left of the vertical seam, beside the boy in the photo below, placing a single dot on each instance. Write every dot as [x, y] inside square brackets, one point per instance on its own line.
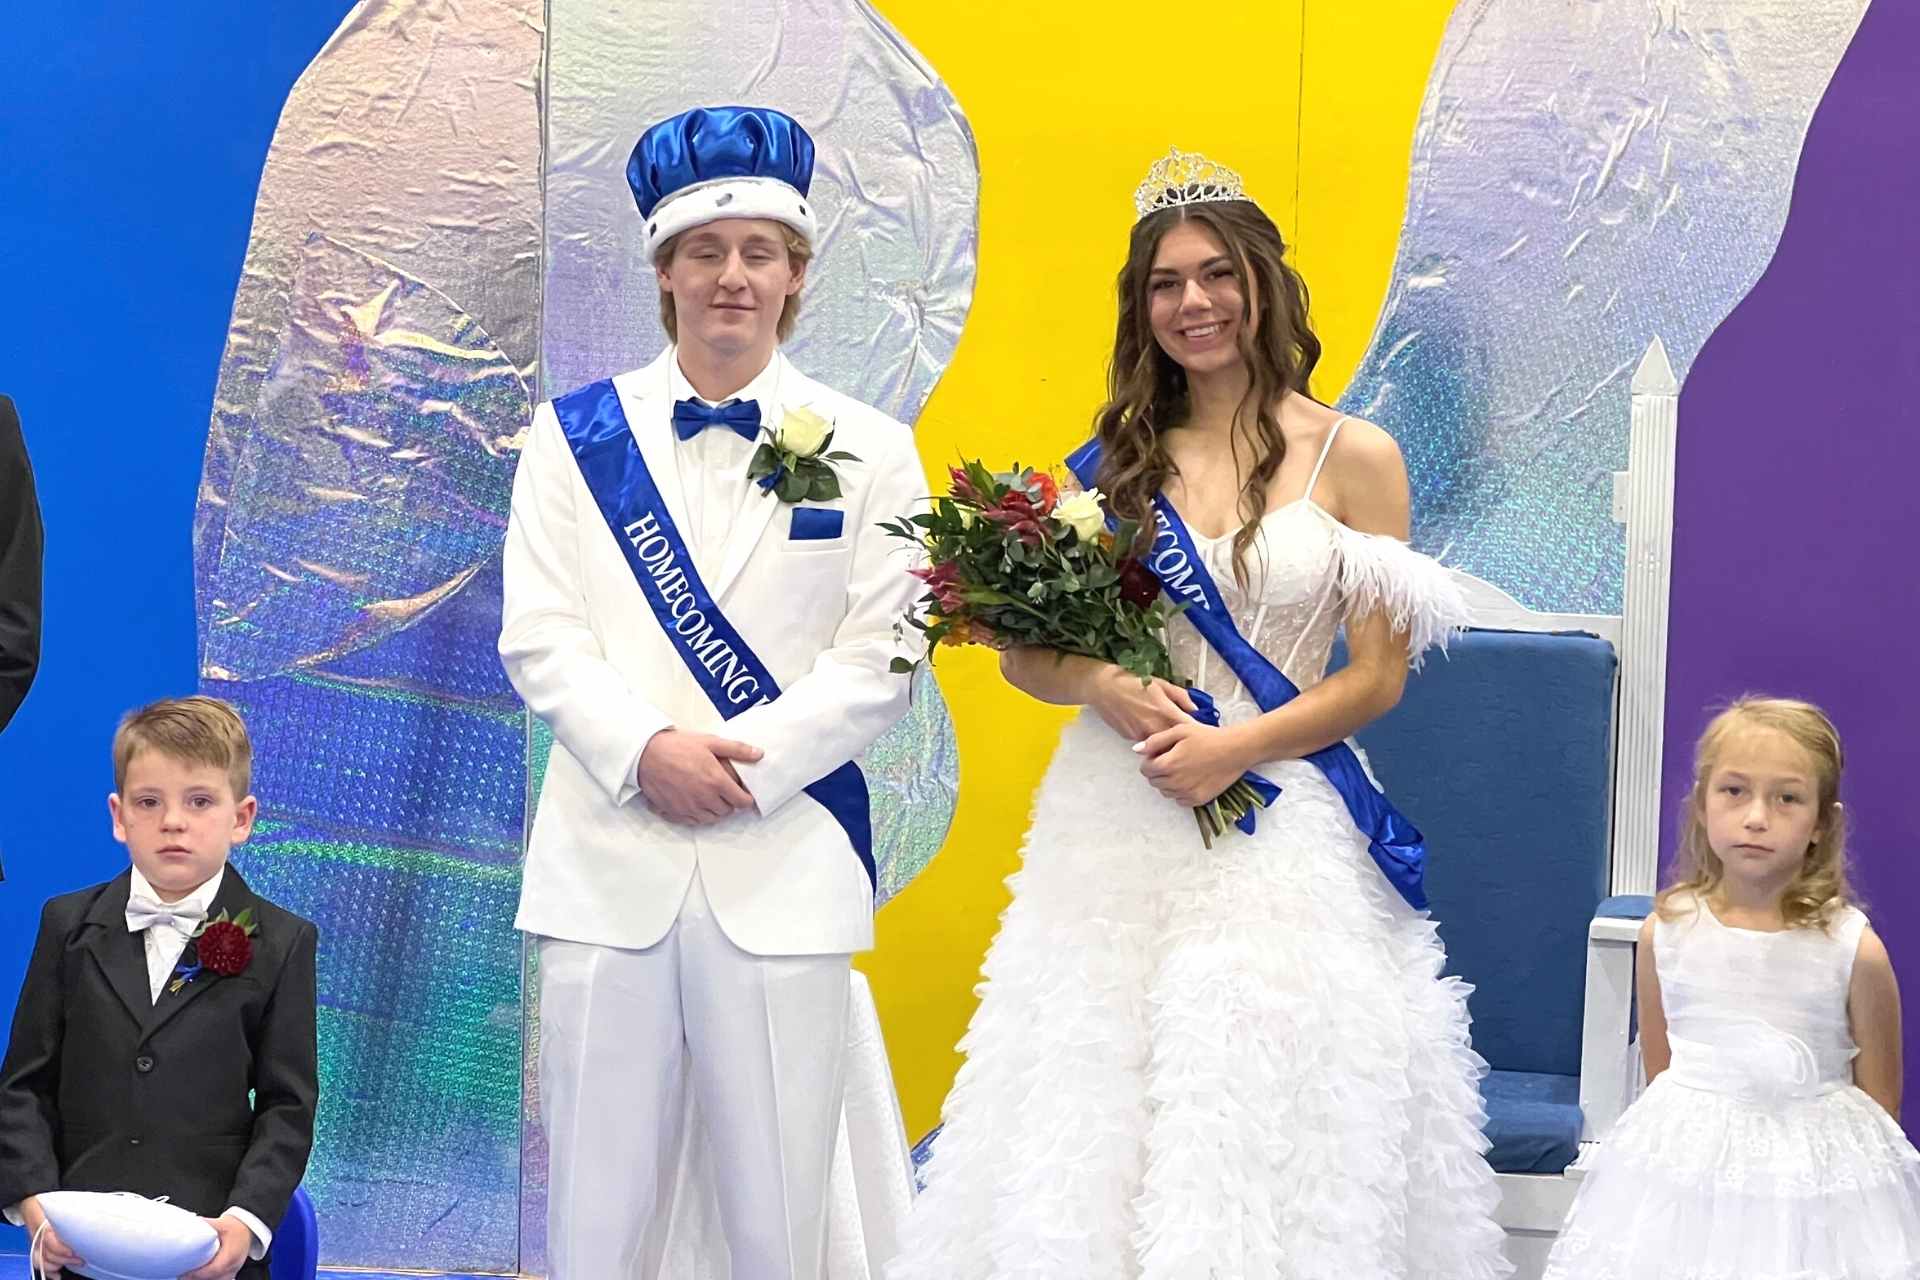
[370, 408]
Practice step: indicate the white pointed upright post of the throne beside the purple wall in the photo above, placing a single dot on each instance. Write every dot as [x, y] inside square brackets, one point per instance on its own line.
[1650, 540]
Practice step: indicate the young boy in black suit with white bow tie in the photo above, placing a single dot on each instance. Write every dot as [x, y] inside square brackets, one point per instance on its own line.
[158, 1003]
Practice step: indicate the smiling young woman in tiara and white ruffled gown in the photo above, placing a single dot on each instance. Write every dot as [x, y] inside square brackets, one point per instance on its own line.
[1234, 1062]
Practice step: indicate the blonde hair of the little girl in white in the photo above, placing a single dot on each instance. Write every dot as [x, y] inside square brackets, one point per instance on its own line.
[1821, 888]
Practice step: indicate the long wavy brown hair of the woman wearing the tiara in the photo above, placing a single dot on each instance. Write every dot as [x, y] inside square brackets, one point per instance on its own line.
[1147, 391]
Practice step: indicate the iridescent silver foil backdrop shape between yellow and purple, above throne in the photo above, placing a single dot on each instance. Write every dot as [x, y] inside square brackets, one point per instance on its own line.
[1587, 174]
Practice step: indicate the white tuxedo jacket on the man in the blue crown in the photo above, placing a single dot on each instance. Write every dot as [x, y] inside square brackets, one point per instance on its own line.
[585, 650]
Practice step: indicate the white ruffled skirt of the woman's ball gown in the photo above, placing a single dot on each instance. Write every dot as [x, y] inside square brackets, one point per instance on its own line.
[1237, 1062]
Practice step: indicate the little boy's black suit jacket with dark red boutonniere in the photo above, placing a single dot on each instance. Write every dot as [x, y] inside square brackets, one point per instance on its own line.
[107, 1091]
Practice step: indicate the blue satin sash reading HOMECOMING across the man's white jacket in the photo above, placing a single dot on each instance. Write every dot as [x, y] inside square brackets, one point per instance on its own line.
[727, 671]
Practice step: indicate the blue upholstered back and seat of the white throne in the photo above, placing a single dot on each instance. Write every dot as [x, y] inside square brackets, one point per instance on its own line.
[1500, 753]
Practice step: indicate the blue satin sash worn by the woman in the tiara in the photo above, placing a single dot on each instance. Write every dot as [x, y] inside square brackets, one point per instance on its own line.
[1397, 845]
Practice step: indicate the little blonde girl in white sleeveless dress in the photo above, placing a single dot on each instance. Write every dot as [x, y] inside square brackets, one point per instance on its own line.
[1765, 1147]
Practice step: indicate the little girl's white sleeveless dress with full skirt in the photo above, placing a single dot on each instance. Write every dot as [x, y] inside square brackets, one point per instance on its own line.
[1754, 1156]
